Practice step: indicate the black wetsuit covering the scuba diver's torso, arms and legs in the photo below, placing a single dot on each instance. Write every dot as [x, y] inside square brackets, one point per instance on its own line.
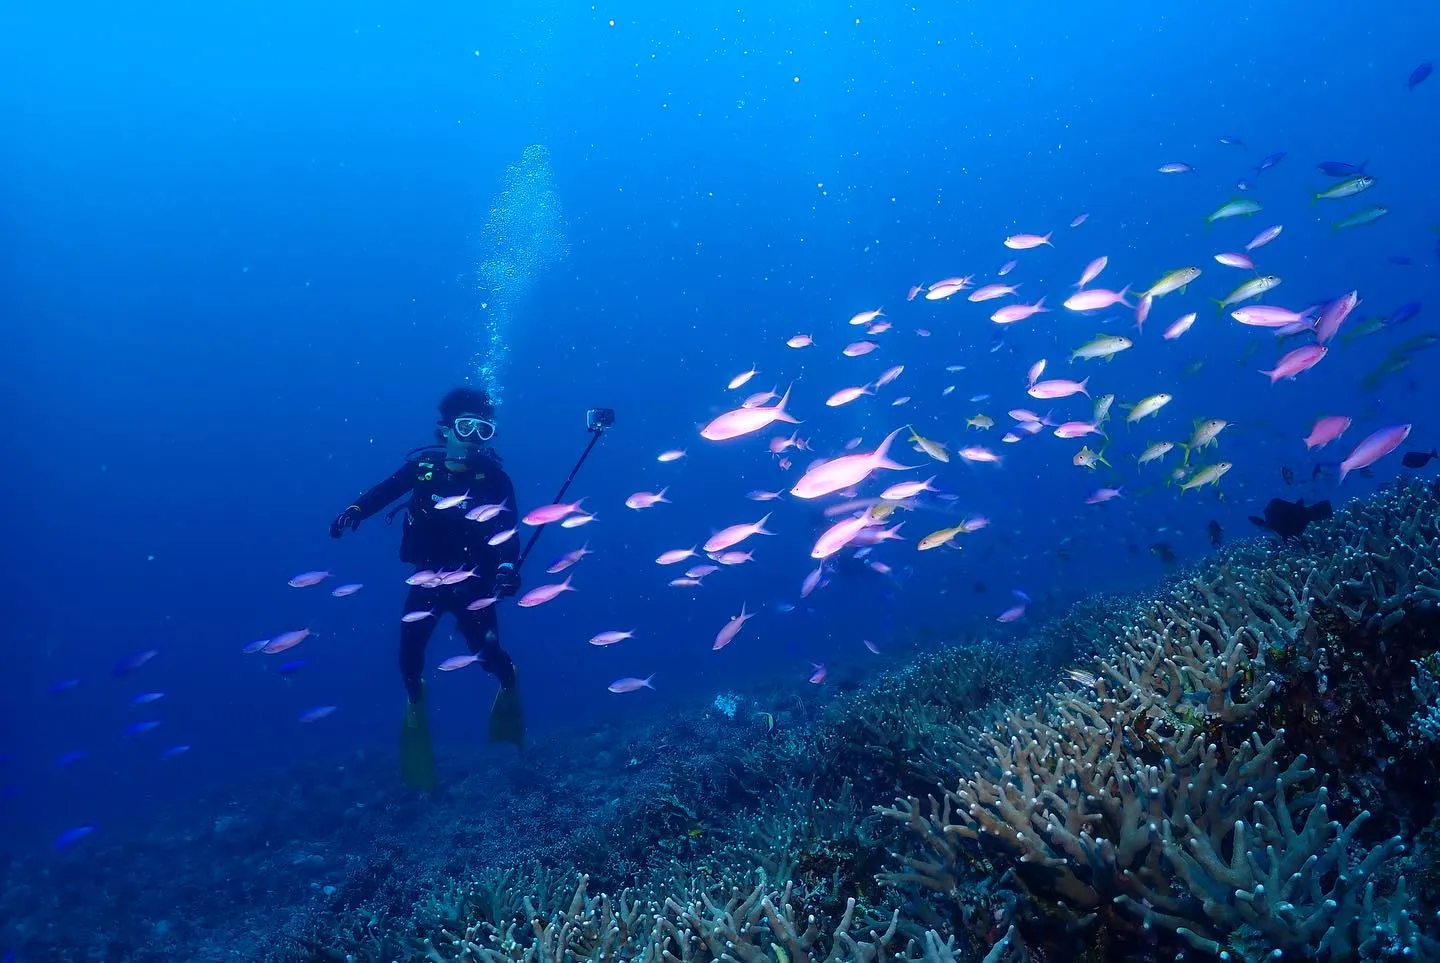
[447, 541]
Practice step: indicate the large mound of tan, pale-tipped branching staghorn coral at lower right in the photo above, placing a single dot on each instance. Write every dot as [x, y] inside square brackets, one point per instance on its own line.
[1160, 794]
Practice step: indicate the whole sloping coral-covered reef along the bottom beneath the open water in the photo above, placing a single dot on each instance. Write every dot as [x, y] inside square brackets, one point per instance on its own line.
[1238, 767]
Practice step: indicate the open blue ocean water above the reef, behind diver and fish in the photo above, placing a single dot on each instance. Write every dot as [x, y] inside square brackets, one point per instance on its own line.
[241, 267]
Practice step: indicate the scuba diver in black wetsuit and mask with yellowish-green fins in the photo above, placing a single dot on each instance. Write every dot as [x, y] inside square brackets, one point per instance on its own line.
[459, 571]
